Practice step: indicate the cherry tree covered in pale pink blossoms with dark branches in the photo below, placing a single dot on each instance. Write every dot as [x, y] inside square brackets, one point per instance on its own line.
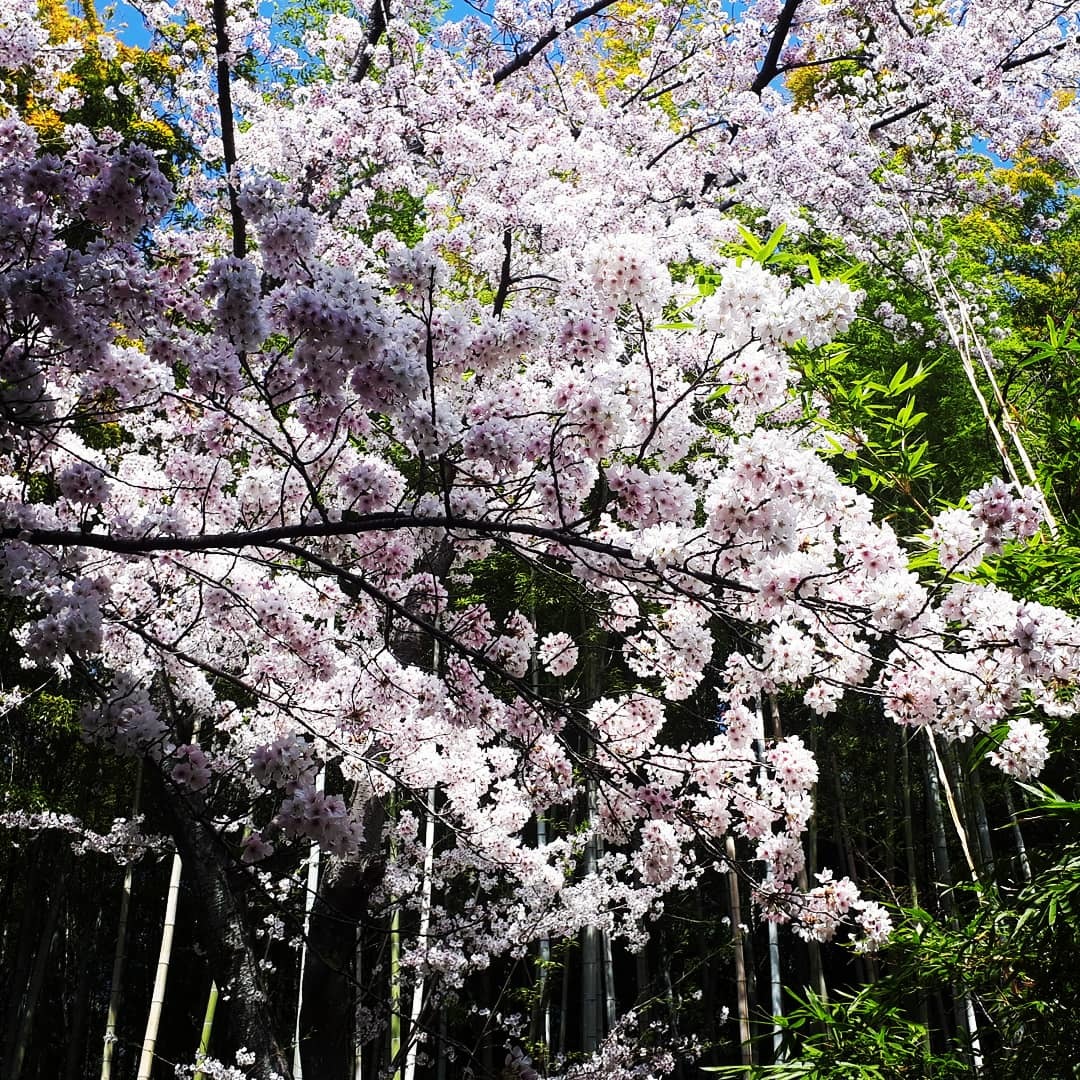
[451, 305]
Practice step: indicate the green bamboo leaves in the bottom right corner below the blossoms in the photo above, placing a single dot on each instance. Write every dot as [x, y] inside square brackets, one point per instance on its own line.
[1014, 957]
